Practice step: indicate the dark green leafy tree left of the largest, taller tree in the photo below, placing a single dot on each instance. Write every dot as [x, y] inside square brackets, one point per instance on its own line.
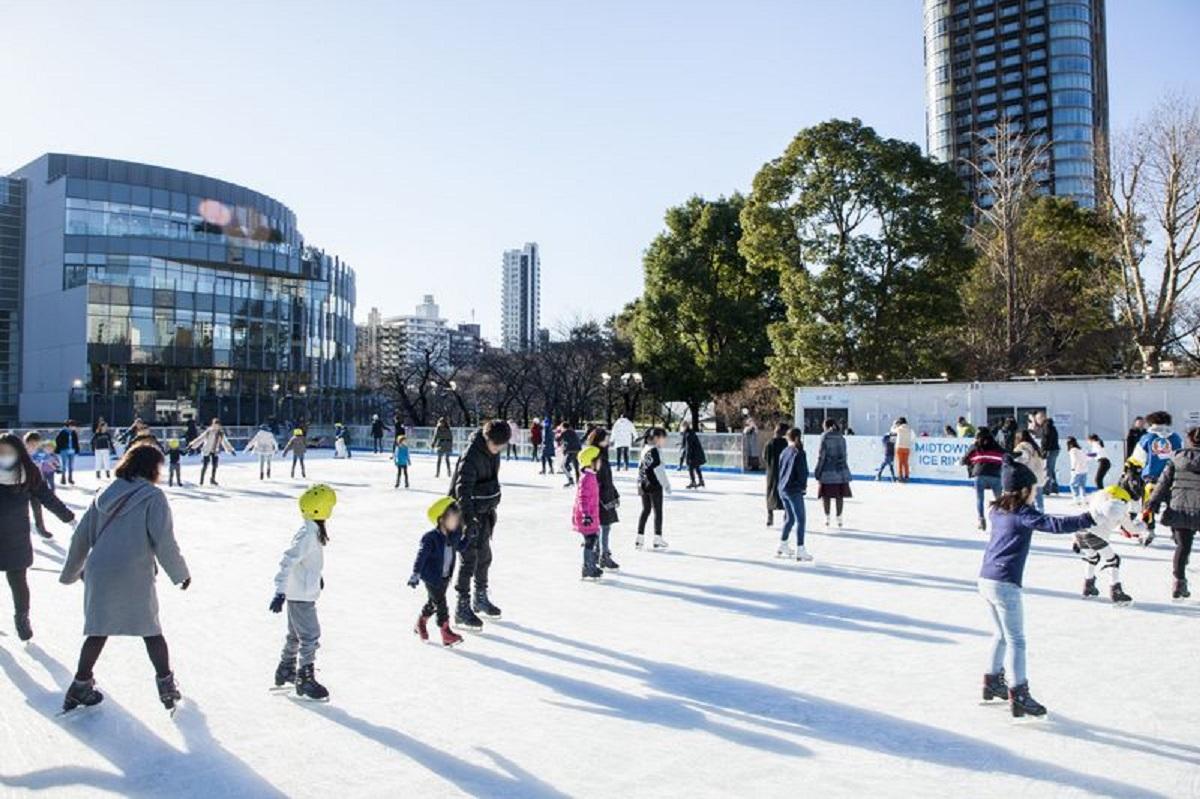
[700, 327]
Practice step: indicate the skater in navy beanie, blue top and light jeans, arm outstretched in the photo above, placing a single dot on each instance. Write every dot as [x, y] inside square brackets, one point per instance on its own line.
[1013, 522]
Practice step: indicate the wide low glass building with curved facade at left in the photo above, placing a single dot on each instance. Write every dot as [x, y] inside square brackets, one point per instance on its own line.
[164, 293]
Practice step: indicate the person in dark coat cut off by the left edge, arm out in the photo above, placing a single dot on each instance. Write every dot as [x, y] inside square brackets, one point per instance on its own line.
[20, 483]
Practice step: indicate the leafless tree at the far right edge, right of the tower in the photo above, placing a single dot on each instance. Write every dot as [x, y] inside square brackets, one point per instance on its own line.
[1153, 190]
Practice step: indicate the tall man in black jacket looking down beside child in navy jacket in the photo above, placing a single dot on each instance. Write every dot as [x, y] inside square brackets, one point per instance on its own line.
[477, 488]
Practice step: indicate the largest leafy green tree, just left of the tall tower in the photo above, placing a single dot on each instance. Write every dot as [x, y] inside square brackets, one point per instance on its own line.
[866, 237]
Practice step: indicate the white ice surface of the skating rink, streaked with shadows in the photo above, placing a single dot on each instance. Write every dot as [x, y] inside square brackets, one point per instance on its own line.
[713, 670]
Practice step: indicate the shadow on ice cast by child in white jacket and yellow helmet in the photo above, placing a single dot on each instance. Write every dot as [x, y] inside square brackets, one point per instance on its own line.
[469, 778]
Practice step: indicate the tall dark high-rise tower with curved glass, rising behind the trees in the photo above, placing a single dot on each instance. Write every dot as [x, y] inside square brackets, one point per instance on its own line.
[1039, 64]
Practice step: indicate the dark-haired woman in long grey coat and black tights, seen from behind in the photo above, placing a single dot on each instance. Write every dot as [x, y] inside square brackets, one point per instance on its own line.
[115, 550]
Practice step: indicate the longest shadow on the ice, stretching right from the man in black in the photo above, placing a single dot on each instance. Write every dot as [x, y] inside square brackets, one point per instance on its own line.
[811, 717]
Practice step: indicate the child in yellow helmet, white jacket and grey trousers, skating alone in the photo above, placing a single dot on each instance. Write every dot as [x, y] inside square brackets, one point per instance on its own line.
[299, 584]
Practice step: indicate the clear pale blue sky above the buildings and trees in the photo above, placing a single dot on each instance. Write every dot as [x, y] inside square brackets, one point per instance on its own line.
[421, 139]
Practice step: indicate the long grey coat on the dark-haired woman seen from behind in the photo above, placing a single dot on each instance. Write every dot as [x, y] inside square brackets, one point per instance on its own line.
[117, 549]
